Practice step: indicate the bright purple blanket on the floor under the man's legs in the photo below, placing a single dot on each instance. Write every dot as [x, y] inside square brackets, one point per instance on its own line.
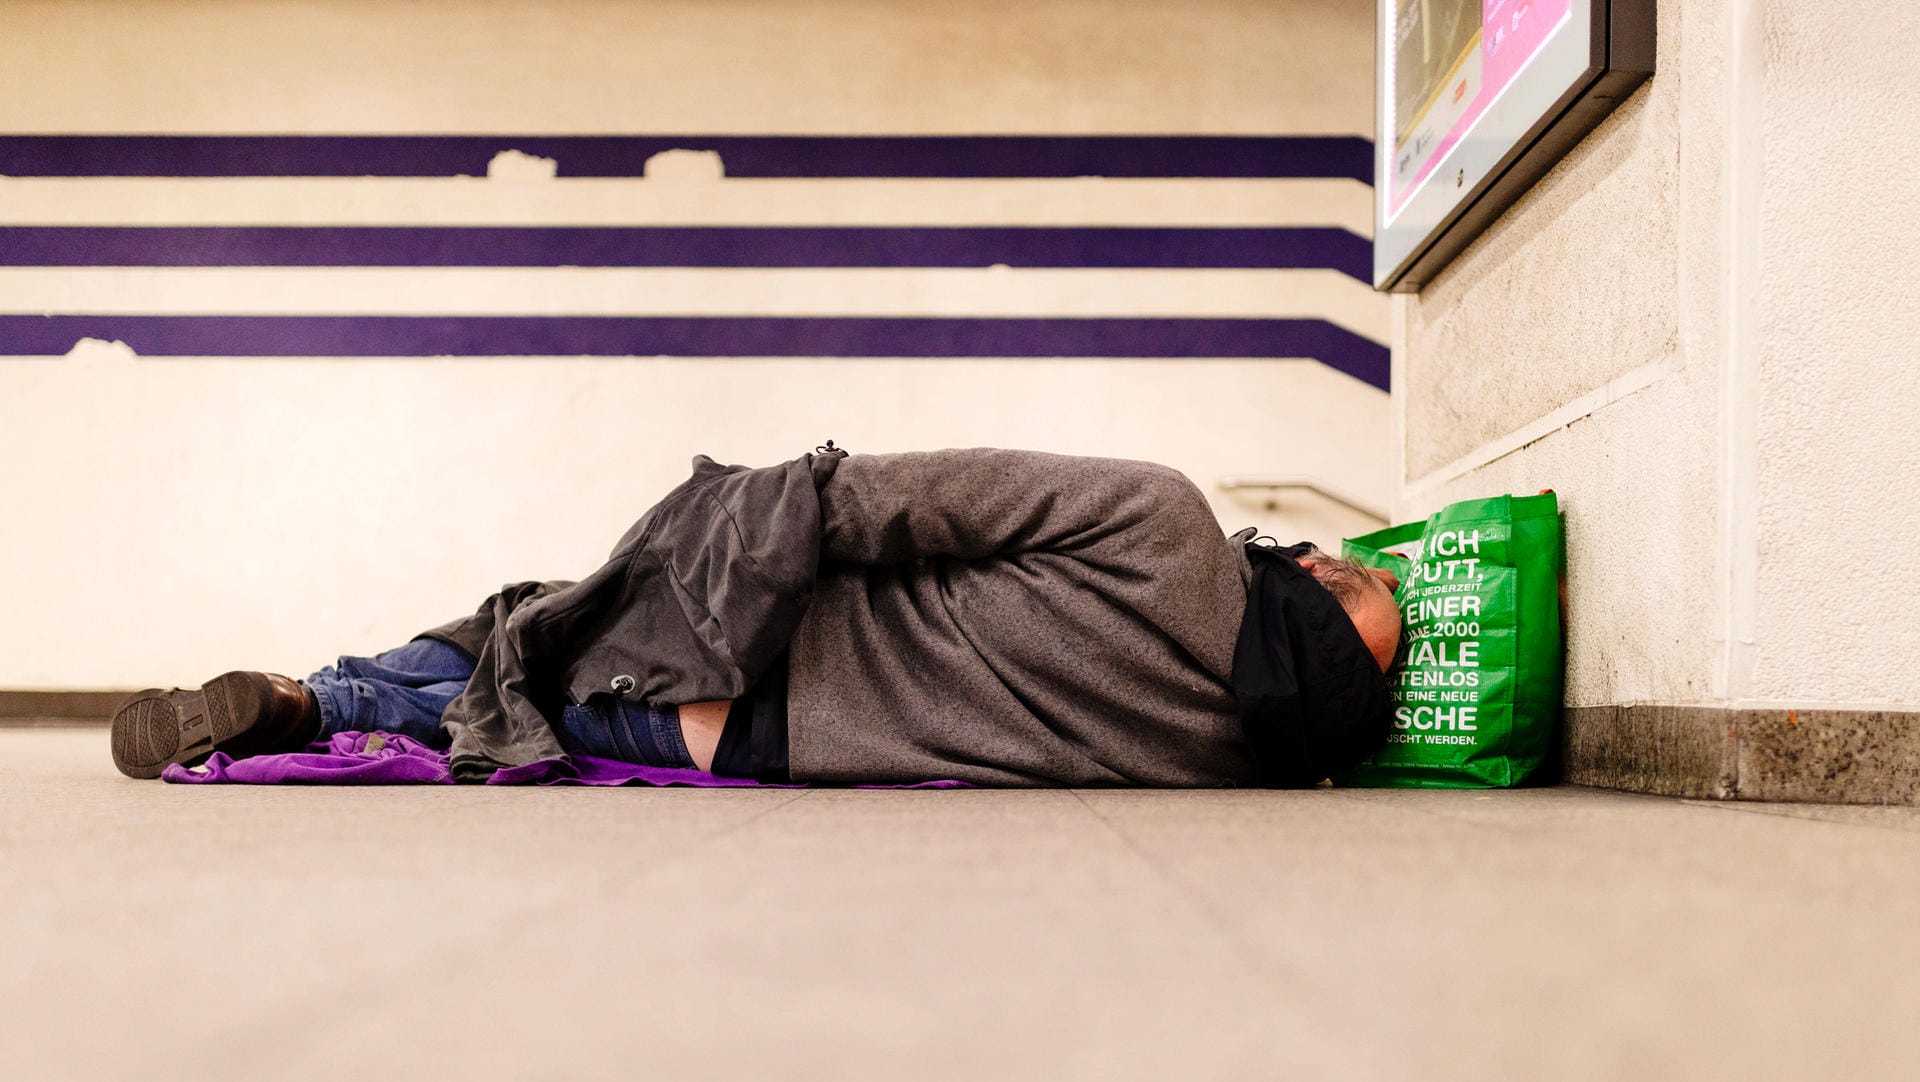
[387, 759]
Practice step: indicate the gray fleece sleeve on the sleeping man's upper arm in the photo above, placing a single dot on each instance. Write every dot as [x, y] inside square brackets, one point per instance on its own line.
[980, 504]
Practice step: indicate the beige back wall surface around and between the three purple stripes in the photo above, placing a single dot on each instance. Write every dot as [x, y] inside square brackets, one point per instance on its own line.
[168, 519]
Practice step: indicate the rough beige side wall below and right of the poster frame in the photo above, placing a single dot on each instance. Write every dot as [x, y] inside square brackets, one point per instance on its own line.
[1694, 331]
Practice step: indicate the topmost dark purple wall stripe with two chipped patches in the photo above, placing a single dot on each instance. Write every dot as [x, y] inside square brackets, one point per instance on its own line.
[744, 156]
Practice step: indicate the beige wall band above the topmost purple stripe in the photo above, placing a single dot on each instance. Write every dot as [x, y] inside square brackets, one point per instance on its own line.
[690, 66]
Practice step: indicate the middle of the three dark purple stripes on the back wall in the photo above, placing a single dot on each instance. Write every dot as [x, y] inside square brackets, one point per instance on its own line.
[681, 247]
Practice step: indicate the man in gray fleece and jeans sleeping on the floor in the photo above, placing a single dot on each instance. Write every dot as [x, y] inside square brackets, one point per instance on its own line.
[1001, 619]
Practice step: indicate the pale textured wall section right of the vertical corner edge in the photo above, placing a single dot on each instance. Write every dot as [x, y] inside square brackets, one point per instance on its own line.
[1838, 319]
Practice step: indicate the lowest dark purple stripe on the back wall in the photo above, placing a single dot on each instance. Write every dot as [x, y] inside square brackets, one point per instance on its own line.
[673, 337]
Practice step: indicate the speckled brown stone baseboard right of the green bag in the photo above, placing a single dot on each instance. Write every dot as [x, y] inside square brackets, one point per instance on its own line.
[1719, 753]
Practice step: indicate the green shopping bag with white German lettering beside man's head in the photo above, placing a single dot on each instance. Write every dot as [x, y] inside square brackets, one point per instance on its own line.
[1479, 596]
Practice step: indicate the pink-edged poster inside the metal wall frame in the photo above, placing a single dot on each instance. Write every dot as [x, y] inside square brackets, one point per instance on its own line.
[1452, 60]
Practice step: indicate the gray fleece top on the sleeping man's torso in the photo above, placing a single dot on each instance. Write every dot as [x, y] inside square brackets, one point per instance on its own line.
[1019, 619]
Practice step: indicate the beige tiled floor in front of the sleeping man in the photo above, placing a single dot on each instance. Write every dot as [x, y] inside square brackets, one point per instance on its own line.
[153, 931]
